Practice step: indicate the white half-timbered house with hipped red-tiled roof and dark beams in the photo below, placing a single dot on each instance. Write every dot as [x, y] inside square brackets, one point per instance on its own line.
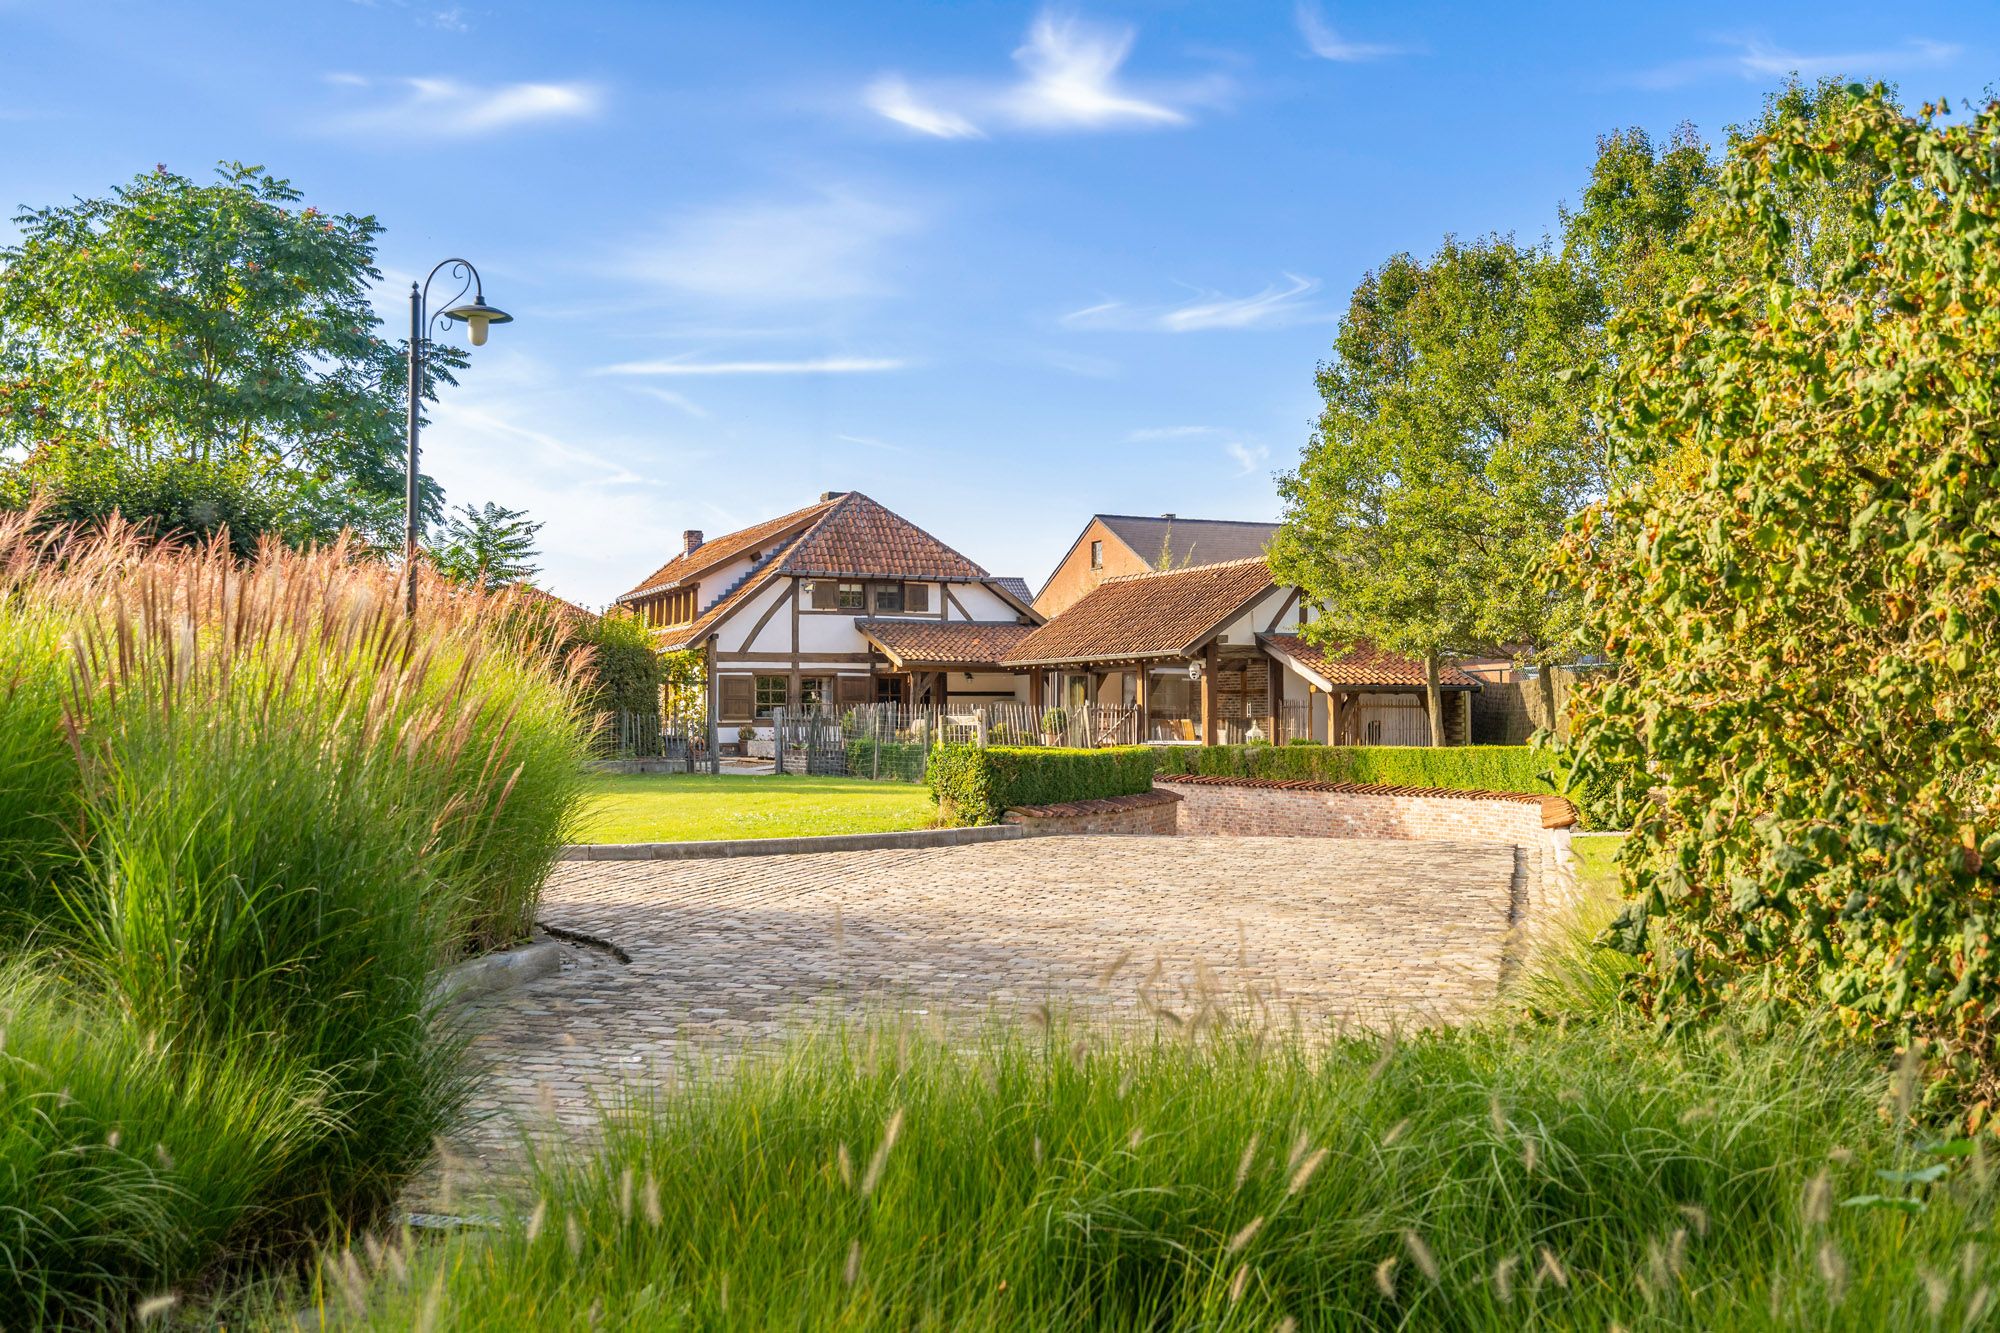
[809, 611]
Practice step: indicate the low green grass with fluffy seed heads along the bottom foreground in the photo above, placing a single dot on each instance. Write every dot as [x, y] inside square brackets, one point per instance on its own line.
[1493, 1178]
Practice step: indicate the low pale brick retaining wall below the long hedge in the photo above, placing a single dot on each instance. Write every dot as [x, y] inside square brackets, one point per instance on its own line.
[1539, 828]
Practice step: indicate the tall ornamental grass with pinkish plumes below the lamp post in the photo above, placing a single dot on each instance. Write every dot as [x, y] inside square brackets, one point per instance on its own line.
[283, 810]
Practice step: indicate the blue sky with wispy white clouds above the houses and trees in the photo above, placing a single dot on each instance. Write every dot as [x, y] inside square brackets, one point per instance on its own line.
[997, 265]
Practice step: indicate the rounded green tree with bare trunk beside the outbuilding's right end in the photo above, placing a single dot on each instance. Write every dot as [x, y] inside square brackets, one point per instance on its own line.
[1453, 447]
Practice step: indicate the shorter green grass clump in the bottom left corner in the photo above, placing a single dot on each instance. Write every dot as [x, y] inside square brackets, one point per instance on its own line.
[127, 1162]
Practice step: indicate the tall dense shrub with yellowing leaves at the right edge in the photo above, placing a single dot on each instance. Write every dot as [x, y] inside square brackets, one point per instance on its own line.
[1809, 676]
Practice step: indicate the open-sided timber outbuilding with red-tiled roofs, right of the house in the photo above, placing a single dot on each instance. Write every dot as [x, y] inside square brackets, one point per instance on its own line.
[1213, 651]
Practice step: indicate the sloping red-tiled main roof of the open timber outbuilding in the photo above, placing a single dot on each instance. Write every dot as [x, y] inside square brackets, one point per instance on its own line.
[1163, 613]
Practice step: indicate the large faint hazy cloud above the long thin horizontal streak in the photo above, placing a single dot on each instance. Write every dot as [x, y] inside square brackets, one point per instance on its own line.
[827, 245]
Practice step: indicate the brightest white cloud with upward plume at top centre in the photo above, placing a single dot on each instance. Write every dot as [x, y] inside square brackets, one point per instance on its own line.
[1071, 81]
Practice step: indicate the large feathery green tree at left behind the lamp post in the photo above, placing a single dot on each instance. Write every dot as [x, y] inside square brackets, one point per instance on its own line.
[215, 325]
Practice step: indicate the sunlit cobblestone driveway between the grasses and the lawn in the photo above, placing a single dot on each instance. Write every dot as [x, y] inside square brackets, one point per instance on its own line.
[731, 954]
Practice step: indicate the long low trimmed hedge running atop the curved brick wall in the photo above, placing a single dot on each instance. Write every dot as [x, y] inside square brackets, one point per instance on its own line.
[1453, 768]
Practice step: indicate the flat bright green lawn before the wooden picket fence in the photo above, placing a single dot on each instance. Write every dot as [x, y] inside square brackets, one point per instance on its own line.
[691, 808]
